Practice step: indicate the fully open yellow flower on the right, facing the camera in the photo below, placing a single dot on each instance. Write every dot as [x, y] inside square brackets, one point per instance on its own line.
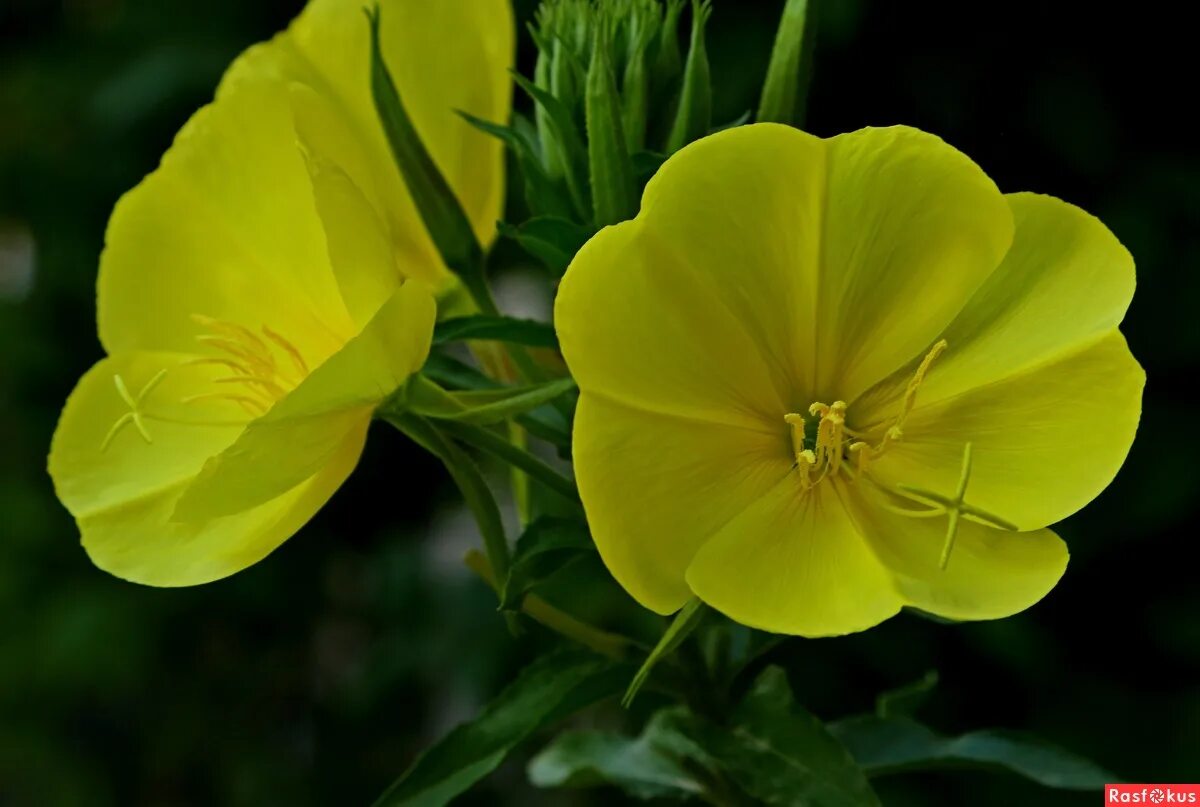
[827, 379]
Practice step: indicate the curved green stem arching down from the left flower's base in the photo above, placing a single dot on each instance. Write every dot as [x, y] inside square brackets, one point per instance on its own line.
[466, 475]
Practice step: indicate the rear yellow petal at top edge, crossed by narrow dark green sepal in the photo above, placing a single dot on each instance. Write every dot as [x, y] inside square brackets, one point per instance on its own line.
[446, 56]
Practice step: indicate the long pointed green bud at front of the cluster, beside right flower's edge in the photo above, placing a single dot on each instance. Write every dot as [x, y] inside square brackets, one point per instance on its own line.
[611, 174]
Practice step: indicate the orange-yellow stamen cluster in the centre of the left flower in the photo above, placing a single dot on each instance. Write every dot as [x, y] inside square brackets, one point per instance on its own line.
[263, 369]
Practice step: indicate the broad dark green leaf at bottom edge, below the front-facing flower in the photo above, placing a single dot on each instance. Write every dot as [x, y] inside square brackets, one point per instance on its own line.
[781, 755]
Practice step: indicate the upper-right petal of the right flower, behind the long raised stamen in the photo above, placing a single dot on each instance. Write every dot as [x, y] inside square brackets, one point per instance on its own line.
[1019, 318]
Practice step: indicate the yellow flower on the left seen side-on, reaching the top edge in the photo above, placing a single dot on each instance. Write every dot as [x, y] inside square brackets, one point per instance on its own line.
[253, 294]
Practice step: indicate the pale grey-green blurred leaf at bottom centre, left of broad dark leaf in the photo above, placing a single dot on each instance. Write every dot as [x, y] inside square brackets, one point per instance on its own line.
[650, 767]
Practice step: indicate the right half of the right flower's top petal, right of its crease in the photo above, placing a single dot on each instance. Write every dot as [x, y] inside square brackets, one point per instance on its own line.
[911, 230]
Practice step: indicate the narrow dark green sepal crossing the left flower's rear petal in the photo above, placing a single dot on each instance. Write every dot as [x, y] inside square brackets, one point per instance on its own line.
[434, 198]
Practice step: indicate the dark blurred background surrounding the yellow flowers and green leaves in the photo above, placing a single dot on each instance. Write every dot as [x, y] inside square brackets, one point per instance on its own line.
[315, 677]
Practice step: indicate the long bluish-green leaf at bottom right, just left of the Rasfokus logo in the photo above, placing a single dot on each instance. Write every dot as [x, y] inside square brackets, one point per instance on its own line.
[896, 745]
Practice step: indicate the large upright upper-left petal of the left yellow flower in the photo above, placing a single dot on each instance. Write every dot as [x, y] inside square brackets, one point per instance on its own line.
[227, 229]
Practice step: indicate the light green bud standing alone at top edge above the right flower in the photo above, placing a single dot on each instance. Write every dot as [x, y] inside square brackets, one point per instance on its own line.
[787, 88]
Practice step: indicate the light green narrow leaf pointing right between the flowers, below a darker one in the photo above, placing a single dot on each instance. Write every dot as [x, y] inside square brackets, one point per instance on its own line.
[477, 408]
